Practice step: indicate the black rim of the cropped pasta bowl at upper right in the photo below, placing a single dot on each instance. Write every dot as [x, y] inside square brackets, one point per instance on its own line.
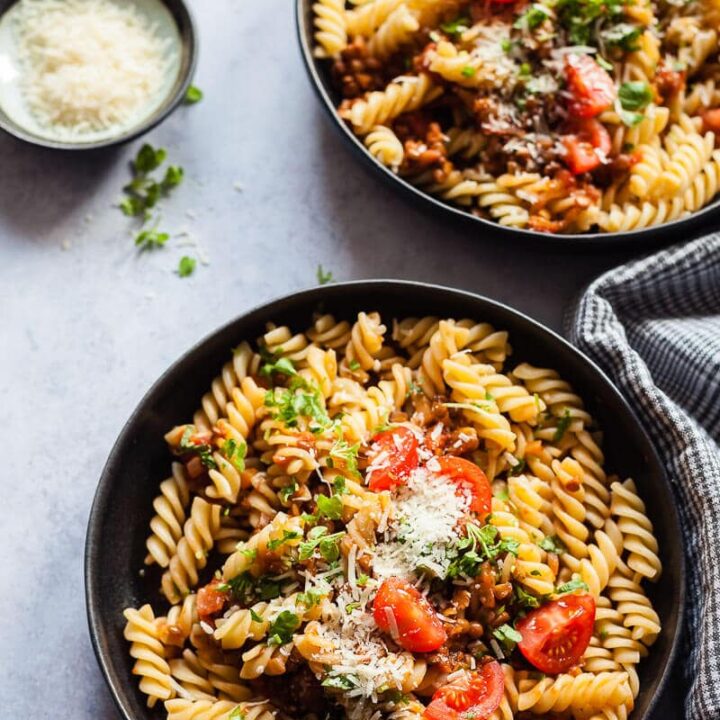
[674, 230]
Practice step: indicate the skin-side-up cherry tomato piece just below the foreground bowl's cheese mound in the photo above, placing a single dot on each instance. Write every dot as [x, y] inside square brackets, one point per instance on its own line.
[399, 606]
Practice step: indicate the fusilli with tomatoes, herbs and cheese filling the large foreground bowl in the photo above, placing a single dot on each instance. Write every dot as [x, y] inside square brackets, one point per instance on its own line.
[390, 518]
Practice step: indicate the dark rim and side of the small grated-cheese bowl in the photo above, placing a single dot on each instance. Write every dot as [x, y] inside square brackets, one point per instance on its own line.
[185, 21]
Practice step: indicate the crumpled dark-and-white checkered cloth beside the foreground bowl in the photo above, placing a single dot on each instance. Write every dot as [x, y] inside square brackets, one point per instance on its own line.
[653, 325]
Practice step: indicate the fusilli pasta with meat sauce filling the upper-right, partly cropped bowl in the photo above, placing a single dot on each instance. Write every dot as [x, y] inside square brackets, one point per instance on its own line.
[558, 117]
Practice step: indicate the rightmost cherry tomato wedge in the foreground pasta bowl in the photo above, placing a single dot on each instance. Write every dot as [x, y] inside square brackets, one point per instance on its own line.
[556, 635]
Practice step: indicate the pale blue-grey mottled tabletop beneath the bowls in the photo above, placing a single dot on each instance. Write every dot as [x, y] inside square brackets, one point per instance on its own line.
[88, 324]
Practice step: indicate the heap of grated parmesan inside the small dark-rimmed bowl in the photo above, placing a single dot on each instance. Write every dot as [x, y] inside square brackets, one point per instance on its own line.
[88, 65]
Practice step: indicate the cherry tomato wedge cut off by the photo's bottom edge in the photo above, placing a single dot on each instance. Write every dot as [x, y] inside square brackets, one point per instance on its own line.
[474, 695]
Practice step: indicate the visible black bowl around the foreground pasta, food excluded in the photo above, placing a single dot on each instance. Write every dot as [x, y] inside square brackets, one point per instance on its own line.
[122, 508]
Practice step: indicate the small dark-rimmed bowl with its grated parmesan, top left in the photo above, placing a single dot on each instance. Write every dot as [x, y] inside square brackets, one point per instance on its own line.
[83, 74]
